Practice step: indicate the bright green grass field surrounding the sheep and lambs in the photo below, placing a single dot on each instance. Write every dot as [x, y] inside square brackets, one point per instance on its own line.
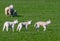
[35, 10]
